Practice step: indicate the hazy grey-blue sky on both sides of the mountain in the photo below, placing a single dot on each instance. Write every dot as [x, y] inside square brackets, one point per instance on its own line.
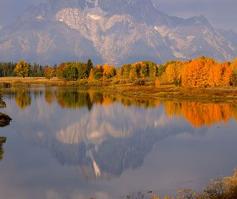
[221, 13]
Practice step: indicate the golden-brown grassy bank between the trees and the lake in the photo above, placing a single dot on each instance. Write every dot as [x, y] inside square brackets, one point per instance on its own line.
[136, 89]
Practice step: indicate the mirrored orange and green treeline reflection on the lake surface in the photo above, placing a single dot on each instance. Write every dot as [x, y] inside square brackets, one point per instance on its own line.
[197, 113]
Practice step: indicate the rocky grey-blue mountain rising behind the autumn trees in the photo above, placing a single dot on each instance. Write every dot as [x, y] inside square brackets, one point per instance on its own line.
[112, 31]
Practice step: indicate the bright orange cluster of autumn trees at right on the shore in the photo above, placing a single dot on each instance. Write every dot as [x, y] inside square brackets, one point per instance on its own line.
[201, 72]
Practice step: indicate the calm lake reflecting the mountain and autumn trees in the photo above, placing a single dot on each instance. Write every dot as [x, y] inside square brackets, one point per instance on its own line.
[64, 143]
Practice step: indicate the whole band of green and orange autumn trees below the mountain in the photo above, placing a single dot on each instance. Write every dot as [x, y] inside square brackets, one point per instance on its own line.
[201, 72]
